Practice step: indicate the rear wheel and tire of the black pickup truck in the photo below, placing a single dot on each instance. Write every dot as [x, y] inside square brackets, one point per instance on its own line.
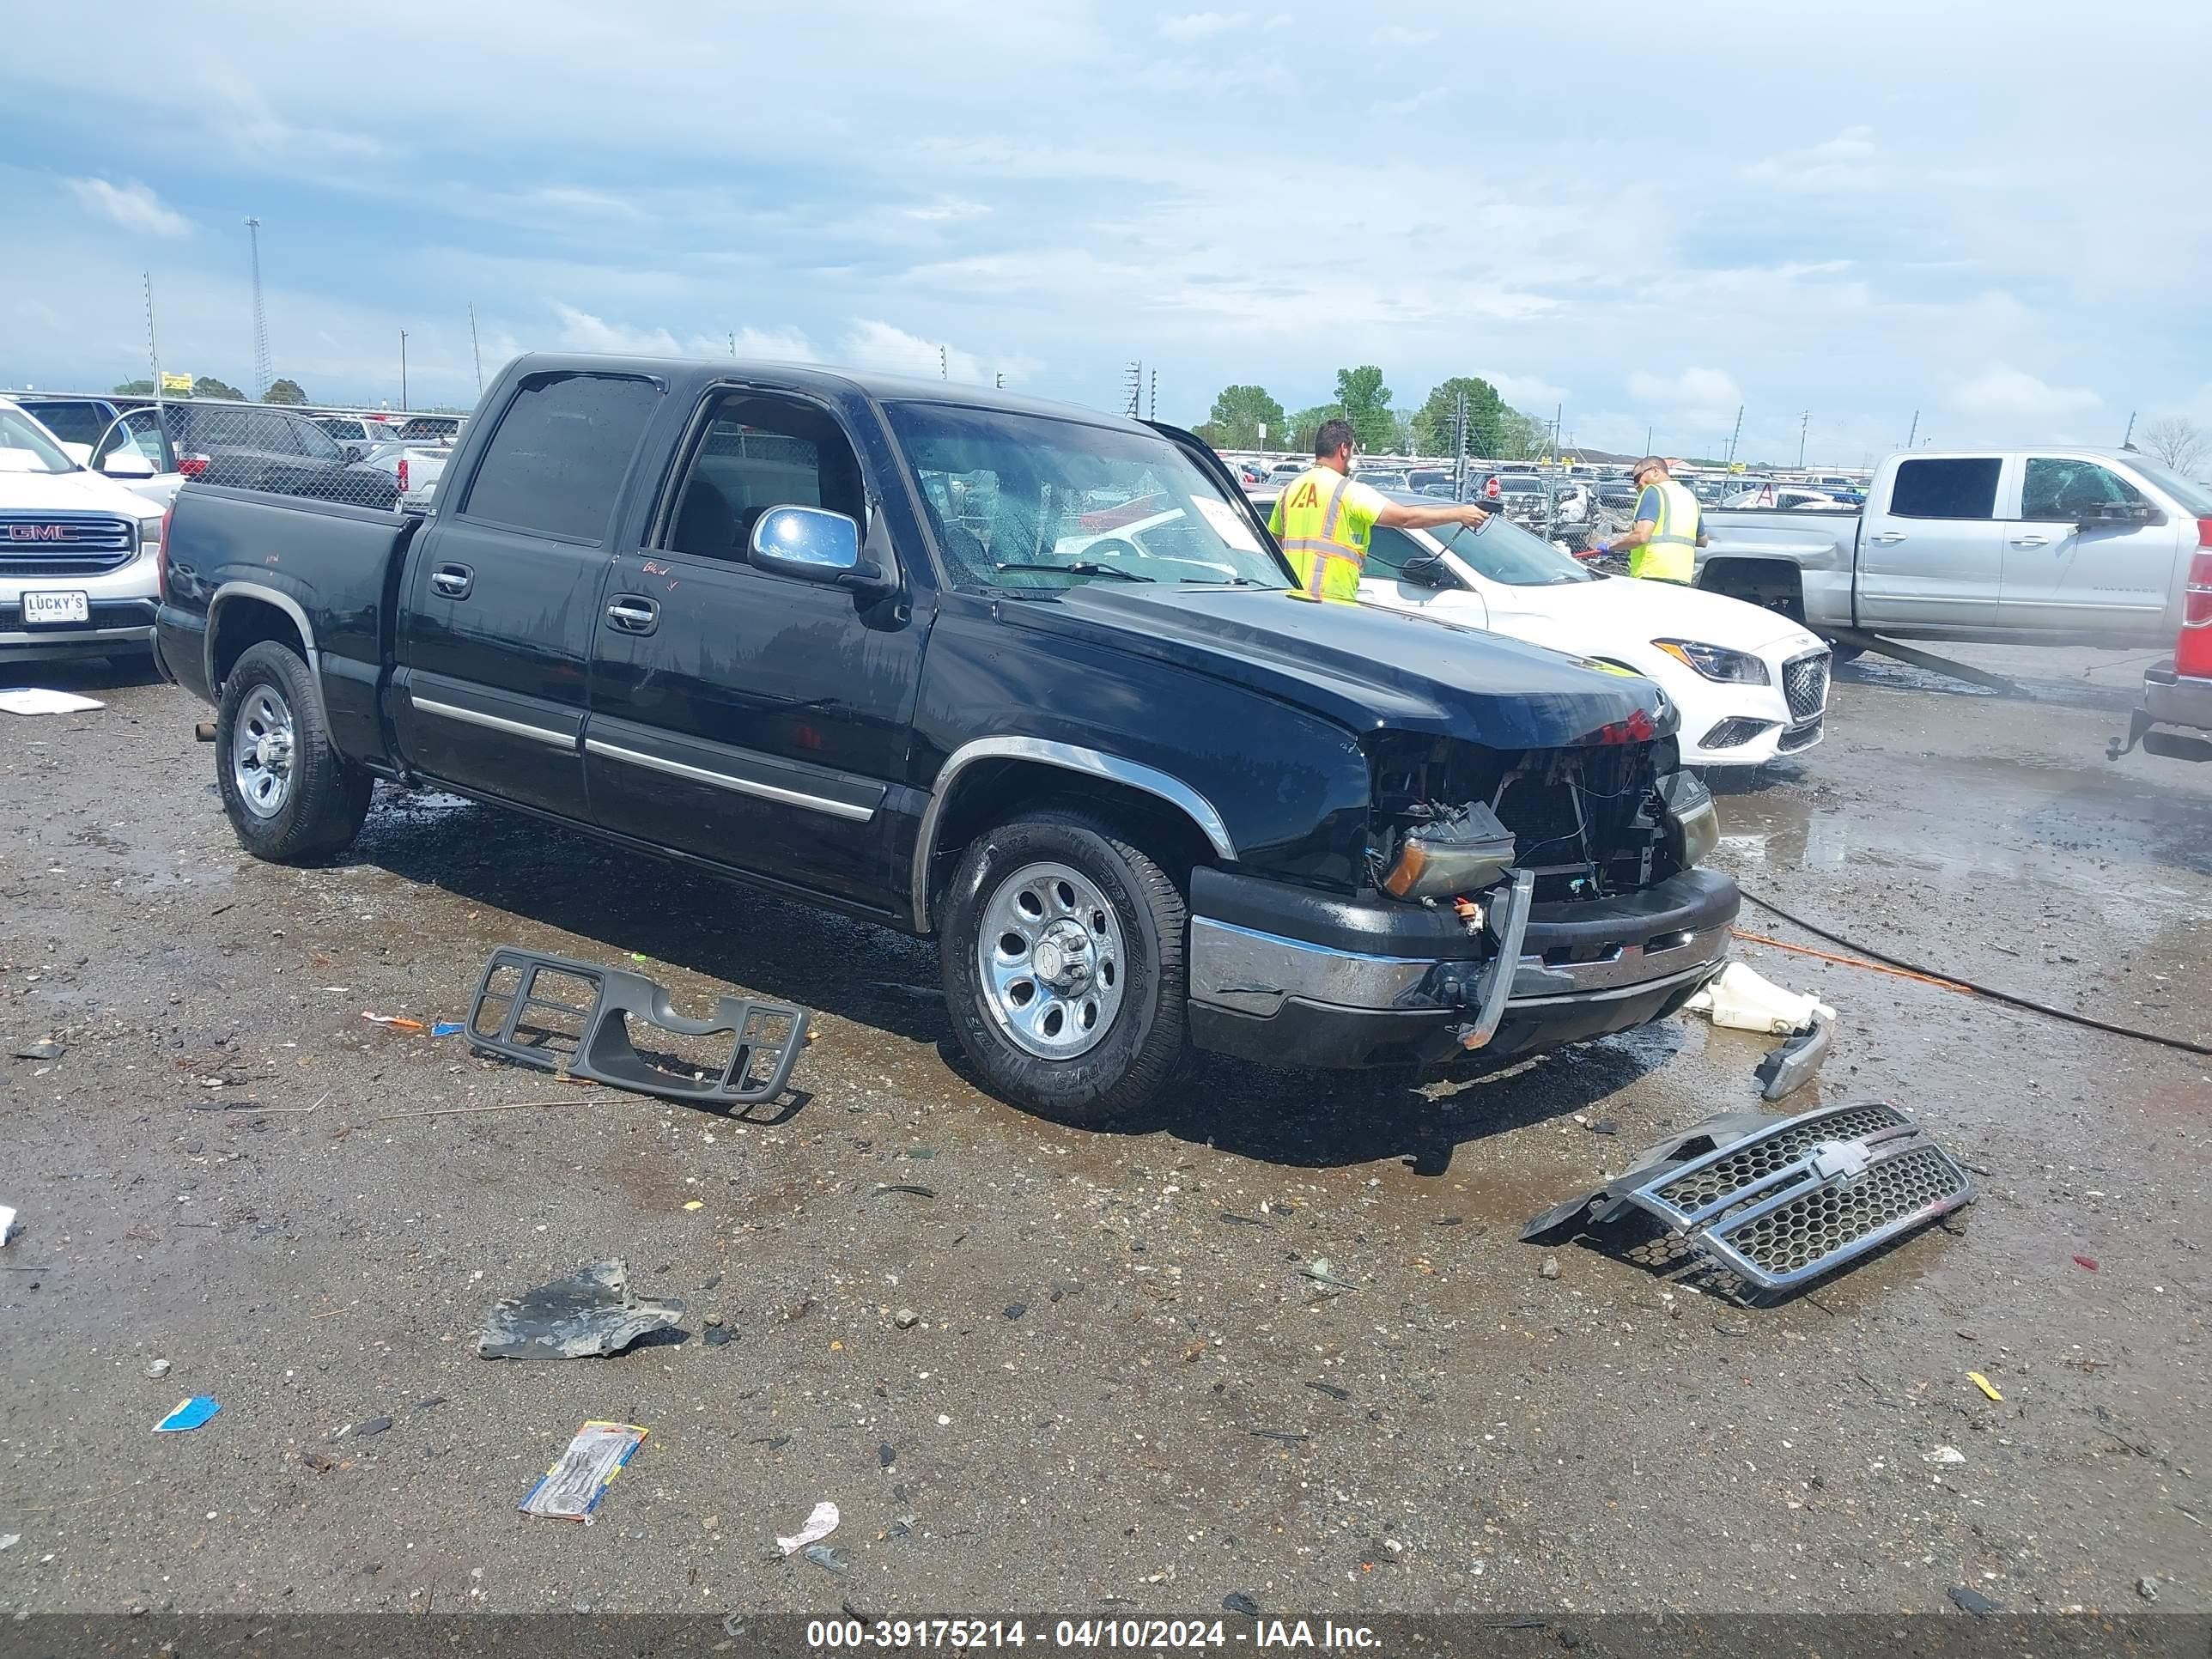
[289, 793]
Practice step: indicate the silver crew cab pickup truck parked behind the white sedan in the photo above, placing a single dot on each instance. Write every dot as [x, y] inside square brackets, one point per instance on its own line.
[2056, 545]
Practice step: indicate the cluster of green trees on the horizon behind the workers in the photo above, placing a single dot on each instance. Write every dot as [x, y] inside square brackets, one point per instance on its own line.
[1244, 417]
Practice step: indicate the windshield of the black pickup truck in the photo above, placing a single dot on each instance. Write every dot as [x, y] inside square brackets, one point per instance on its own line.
[1039, 505]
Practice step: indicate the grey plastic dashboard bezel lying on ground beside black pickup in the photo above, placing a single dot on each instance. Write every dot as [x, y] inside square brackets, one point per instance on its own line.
[576, 1019]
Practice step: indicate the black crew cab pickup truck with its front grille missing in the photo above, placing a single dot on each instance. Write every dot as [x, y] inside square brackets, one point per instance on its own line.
[1012, 674]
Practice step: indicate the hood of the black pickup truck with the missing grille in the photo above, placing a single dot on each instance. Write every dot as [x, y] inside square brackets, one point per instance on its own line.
[1355, 665]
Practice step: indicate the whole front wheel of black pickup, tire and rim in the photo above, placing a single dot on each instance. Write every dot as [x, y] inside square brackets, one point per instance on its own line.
[1116, 959]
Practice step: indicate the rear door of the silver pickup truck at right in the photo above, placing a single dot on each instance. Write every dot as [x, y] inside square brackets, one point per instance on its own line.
[1930, 545]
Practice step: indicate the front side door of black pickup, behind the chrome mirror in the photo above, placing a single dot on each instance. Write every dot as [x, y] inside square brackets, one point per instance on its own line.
[751, 718]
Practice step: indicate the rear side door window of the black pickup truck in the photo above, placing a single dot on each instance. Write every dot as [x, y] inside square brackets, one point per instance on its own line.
[561, 452]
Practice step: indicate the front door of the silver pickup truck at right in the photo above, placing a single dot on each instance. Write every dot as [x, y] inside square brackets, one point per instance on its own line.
[2089, 554]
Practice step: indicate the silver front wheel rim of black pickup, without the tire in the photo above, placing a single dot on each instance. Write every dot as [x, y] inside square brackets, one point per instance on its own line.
[1052, 961]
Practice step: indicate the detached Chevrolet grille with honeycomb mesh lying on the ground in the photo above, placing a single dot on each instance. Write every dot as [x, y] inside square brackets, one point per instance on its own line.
[1780, 1202]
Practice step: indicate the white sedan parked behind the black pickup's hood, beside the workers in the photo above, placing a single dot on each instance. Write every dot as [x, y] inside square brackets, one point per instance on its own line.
[1751, 685]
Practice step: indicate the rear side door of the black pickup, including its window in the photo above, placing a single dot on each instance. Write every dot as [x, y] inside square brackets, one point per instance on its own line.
[501, 594]
